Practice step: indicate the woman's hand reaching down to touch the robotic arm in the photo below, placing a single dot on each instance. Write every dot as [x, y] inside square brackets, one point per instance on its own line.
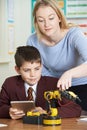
[65, 81]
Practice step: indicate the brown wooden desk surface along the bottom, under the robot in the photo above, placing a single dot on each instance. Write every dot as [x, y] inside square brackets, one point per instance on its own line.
[67, 124]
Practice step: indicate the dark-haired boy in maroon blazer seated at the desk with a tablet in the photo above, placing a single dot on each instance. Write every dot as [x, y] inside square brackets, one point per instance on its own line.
[29, 67]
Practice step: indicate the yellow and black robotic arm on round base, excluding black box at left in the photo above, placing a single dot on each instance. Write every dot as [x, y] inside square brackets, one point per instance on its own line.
[52, 117]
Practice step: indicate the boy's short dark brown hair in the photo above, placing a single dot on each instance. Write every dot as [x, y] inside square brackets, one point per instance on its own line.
[27, 53]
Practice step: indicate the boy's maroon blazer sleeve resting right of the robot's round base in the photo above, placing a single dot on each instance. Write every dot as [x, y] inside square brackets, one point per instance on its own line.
[68, 109]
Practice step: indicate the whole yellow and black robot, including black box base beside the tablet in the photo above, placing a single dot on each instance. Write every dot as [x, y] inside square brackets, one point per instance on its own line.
[52, 116]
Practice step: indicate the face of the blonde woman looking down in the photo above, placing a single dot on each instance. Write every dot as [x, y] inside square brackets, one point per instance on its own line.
[47, 21]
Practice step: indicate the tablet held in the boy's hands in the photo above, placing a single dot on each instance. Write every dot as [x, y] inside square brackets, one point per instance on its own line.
[23, 105]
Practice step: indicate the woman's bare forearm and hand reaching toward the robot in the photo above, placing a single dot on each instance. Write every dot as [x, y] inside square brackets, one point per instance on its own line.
[65, 80]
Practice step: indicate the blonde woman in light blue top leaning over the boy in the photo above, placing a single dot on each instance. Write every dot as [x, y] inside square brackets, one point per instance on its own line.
[63, 48]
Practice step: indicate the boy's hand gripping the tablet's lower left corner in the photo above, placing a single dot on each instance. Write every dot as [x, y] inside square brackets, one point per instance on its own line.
[15, 113]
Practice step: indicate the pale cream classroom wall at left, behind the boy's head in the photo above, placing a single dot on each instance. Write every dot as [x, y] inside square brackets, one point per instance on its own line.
[22, 29]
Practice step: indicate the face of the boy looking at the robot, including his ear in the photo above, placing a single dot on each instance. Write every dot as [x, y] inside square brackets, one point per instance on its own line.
[30, 72]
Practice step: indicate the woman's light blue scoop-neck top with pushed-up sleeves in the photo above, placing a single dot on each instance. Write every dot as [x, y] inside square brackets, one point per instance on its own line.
[70, 52]
